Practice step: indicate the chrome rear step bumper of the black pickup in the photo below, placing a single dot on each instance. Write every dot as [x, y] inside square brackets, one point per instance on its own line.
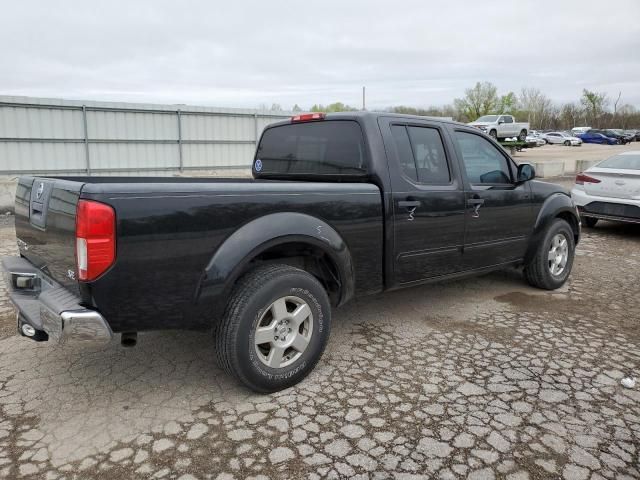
[53, 311]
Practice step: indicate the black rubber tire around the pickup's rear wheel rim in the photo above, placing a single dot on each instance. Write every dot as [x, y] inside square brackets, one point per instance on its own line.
[254, 293]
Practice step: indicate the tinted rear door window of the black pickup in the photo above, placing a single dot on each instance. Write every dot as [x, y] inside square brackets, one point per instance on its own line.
[421, 154]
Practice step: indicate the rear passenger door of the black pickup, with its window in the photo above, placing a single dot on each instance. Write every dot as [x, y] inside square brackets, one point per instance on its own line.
[428, 201]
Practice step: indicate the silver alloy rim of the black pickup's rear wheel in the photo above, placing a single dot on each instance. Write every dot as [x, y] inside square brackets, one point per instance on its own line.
[283, 332]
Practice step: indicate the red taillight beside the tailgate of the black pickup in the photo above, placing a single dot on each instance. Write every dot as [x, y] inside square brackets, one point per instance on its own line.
[95, 239]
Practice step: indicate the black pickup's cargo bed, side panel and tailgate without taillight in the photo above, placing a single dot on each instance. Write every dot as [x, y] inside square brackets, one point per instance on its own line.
[167, 231]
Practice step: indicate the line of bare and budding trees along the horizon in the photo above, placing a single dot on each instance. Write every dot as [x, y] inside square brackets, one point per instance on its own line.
[593, 109]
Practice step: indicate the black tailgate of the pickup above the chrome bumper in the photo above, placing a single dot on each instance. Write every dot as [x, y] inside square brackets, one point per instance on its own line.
[45, 226]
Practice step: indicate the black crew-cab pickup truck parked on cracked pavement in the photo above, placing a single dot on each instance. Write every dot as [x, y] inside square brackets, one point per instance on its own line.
[339, 206]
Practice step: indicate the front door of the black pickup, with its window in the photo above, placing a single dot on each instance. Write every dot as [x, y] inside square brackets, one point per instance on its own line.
[499, 215]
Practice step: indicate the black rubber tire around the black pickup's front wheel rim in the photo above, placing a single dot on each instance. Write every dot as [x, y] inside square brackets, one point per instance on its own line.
[537, 272]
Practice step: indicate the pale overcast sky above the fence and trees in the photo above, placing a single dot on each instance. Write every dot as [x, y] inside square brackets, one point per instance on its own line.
[246, 53]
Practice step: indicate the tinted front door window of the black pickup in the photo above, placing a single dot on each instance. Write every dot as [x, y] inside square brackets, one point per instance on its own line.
[483, 162]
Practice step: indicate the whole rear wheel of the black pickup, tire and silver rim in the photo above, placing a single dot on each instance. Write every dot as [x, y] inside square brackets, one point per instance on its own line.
[275, 328]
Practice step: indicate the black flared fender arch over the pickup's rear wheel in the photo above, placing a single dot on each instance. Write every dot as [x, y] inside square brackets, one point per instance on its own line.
[255, 237]
